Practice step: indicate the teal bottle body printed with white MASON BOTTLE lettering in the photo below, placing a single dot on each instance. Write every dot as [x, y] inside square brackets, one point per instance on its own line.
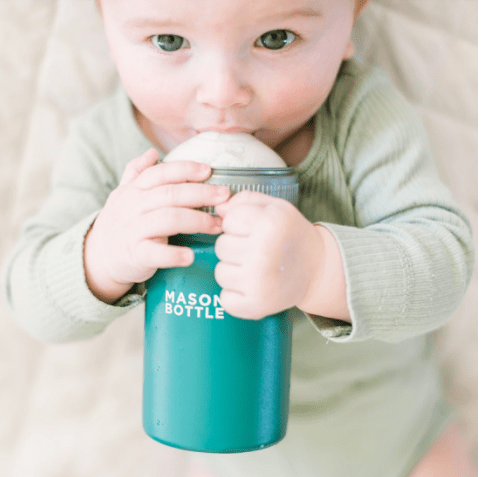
[212, 382]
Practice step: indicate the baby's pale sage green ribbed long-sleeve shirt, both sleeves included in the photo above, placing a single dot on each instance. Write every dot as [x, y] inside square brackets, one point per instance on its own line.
[406, 247]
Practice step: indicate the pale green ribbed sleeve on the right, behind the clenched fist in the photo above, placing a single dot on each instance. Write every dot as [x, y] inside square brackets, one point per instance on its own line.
[409, 258]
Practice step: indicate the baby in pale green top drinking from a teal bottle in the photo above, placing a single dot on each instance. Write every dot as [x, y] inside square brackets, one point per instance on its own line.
[376, 256]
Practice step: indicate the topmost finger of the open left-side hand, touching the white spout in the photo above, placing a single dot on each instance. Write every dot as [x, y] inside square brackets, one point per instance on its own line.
[173, 173]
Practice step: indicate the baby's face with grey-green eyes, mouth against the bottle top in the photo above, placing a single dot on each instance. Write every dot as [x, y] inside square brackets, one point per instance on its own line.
[259, 66]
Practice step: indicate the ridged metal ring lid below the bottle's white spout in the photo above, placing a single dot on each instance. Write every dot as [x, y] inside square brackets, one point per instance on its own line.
[276, 181]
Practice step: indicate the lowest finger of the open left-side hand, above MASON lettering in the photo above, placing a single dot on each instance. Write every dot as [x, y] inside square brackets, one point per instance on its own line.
[152, 254]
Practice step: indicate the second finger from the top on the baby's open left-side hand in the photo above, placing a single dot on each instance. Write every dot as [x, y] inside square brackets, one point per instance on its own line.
[184, 195]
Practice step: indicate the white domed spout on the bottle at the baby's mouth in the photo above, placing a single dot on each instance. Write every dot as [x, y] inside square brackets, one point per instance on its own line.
[226, 150]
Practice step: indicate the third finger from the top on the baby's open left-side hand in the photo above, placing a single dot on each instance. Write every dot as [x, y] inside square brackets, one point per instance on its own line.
[176, 220]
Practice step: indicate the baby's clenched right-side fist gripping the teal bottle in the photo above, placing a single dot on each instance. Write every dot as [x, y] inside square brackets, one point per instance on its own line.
[269, 253]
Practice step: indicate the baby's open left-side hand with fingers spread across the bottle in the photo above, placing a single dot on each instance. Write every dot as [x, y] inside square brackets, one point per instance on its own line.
[128, 241]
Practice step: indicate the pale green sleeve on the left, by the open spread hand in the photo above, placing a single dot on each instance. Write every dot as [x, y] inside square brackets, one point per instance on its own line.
[45, 280]
